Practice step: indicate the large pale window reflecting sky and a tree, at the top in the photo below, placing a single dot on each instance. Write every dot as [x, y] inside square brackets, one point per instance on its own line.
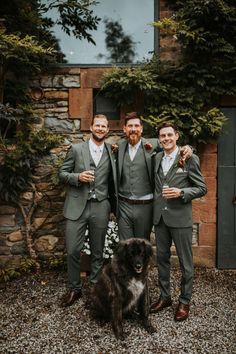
[126, 24]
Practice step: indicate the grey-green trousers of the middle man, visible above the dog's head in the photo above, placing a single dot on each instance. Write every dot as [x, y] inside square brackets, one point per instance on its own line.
[135, 220]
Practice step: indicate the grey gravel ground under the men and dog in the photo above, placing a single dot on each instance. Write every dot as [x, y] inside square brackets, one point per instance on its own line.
[31, 321]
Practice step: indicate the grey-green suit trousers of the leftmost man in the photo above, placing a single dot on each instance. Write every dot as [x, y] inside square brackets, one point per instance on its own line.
[96, 217]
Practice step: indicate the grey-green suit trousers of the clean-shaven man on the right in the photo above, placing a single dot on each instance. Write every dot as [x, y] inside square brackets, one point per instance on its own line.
[182, 238]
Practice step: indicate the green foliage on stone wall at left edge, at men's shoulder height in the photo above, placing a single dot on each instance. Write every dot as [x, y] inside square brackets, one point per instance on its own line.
[19, 162]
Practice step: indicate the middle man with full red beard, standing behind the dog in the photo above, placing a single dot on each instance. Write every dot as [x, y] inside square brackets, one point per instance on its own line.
[136, 180]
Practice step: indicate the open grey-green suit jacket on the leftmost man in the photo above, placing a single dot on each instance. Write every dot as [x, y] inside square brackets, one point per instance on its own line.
[77, 161]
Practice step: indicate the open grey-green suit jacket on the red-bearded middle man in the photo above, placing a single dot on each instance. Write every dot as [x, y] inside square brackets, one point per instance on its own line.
[150, 148]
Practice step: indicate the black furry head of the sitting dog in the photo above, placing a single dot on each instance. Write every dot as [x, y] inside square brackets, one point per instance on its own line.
[135, 254]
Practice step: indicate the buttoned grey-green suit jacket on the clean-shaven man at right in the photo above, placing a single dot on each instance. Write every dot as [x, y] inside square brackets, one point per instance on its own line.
[189, 179]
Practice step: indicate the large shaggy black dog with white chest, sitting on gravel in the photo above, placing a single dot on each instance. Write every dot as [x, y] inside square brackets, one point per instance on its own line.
[122, 286]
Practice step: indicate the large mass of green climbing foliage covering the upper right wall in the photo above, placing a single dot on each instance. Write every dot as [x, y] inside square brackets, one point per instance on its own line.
[188, 90]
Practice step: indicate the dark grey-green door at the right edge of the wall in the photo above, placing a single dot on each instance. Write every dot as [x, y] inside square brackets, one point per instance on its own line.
[226, 214]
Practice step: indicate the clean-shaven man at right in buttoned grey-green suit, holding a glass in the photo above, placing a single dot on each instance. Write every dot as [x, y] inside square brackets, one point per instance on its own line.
[177, 183]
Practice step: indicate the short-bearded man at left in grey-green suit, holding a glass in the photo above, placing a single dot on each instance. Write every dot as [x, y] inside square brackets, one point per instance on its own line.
[88, 171]
